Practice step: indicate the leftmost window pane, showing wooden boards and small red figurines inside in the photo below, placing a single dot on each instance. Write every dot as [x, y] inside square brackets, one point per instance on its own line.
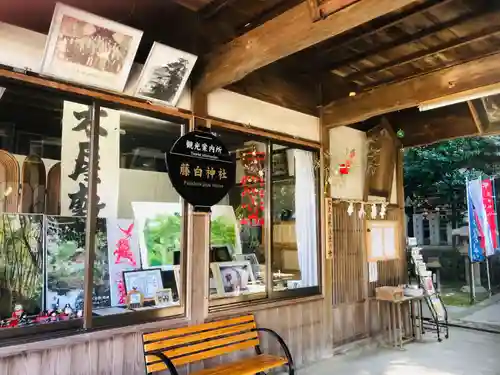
[42, 246]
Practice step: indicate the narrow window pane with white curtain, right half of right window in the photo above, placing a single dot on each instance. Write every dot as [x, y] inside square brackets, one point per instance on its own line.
[294, 209]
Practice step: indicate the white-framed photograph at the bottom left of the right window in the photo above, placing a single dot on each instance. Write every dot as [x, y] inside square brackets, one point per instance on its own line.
[233, 278]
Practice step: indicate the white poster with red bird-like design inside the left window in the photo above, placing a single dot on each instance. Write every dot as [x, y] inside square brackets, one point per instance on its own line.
[123, 255]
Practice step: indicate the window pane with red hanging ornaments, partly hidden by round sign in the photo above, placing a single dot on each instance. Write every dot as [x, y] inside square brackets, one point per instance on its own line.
[237, 236]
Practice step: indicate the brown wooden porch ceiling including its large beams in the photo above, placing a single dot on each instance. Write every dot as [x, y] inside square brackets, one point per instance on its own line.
[351, 60]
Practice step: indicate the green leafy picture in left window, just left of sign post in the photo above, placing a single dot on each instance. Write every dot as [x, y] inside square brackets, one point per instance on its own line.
[162, 235]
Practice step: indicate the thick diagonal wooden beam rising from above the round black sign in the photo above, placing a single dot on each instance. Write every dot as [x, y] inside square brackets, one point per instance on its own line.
[284, 35]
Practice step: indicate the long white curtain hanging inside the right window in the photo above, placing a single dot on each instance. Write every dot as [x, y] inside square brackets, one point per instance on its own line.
[306, 218]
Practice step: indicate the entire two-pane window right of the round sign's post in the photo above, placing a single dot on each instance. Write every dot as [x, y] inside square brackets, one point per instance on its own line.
[265, 232]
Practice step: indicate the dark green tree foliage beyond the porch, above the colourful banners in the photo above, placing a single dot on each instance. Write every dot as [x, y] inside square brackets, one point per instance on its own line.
[439, 171]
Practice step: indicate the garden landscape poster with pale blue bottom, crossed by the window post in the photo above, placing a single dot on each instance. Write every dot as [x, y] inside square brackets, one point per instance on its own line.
[65, 243]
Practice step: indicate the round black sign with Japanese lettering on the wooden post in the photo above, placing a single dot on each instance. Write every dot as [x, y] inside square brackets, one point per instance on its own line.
[201, 169]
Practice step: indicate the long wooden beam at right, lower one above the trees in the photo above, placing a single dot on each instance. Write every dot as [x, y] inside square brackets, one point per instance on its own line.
[456, 81]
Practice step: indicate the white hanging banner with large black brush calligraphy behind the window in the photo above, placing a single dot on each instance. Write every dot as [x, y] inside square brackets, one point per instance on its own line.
[75, 154]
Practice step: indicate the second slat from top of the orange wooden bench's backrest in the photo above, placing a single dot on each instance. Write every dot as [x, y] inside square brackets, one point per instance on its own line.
[184, 340]
